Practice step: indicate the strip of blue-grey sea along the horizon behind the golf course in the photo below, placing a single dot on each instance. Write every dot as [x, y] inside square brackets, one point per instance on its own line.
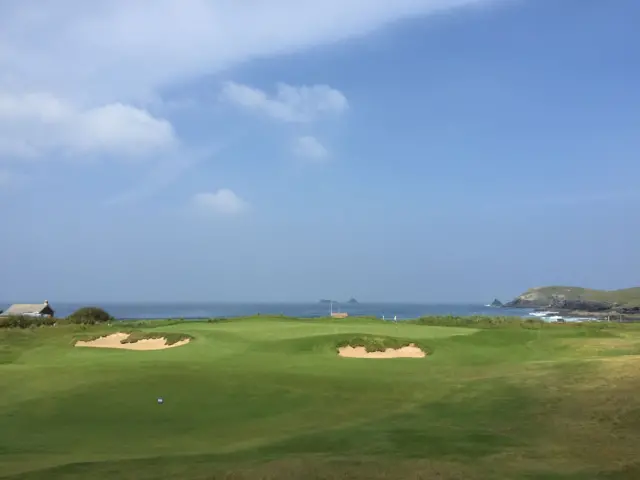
[402, 311]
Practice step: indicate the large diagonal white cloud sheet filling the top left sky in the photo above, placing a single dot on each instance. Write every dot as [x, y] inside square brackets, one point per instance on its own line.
[107, 51]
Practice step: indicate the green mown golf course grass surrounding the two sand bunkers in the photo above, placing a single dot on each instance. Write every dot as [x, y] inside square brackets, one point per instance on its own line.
[270, 398]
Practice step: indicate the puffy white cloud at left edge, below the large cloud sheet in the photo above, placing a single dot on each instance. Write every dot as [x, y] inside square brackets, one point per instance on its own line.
[37, 124]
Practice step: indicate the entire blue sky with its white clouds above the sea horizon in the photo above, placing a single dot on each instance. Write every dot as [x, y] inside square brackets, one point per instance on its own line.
[416, 150]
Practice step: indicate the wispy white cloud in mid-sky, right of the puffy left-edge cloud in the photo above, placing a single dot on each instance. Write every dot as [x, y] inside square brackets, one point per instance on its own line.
[290, 103]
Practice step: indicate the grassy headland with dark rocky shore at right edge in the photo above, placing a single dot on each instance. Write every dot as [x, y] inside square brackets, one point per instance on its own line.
[577, 301]
